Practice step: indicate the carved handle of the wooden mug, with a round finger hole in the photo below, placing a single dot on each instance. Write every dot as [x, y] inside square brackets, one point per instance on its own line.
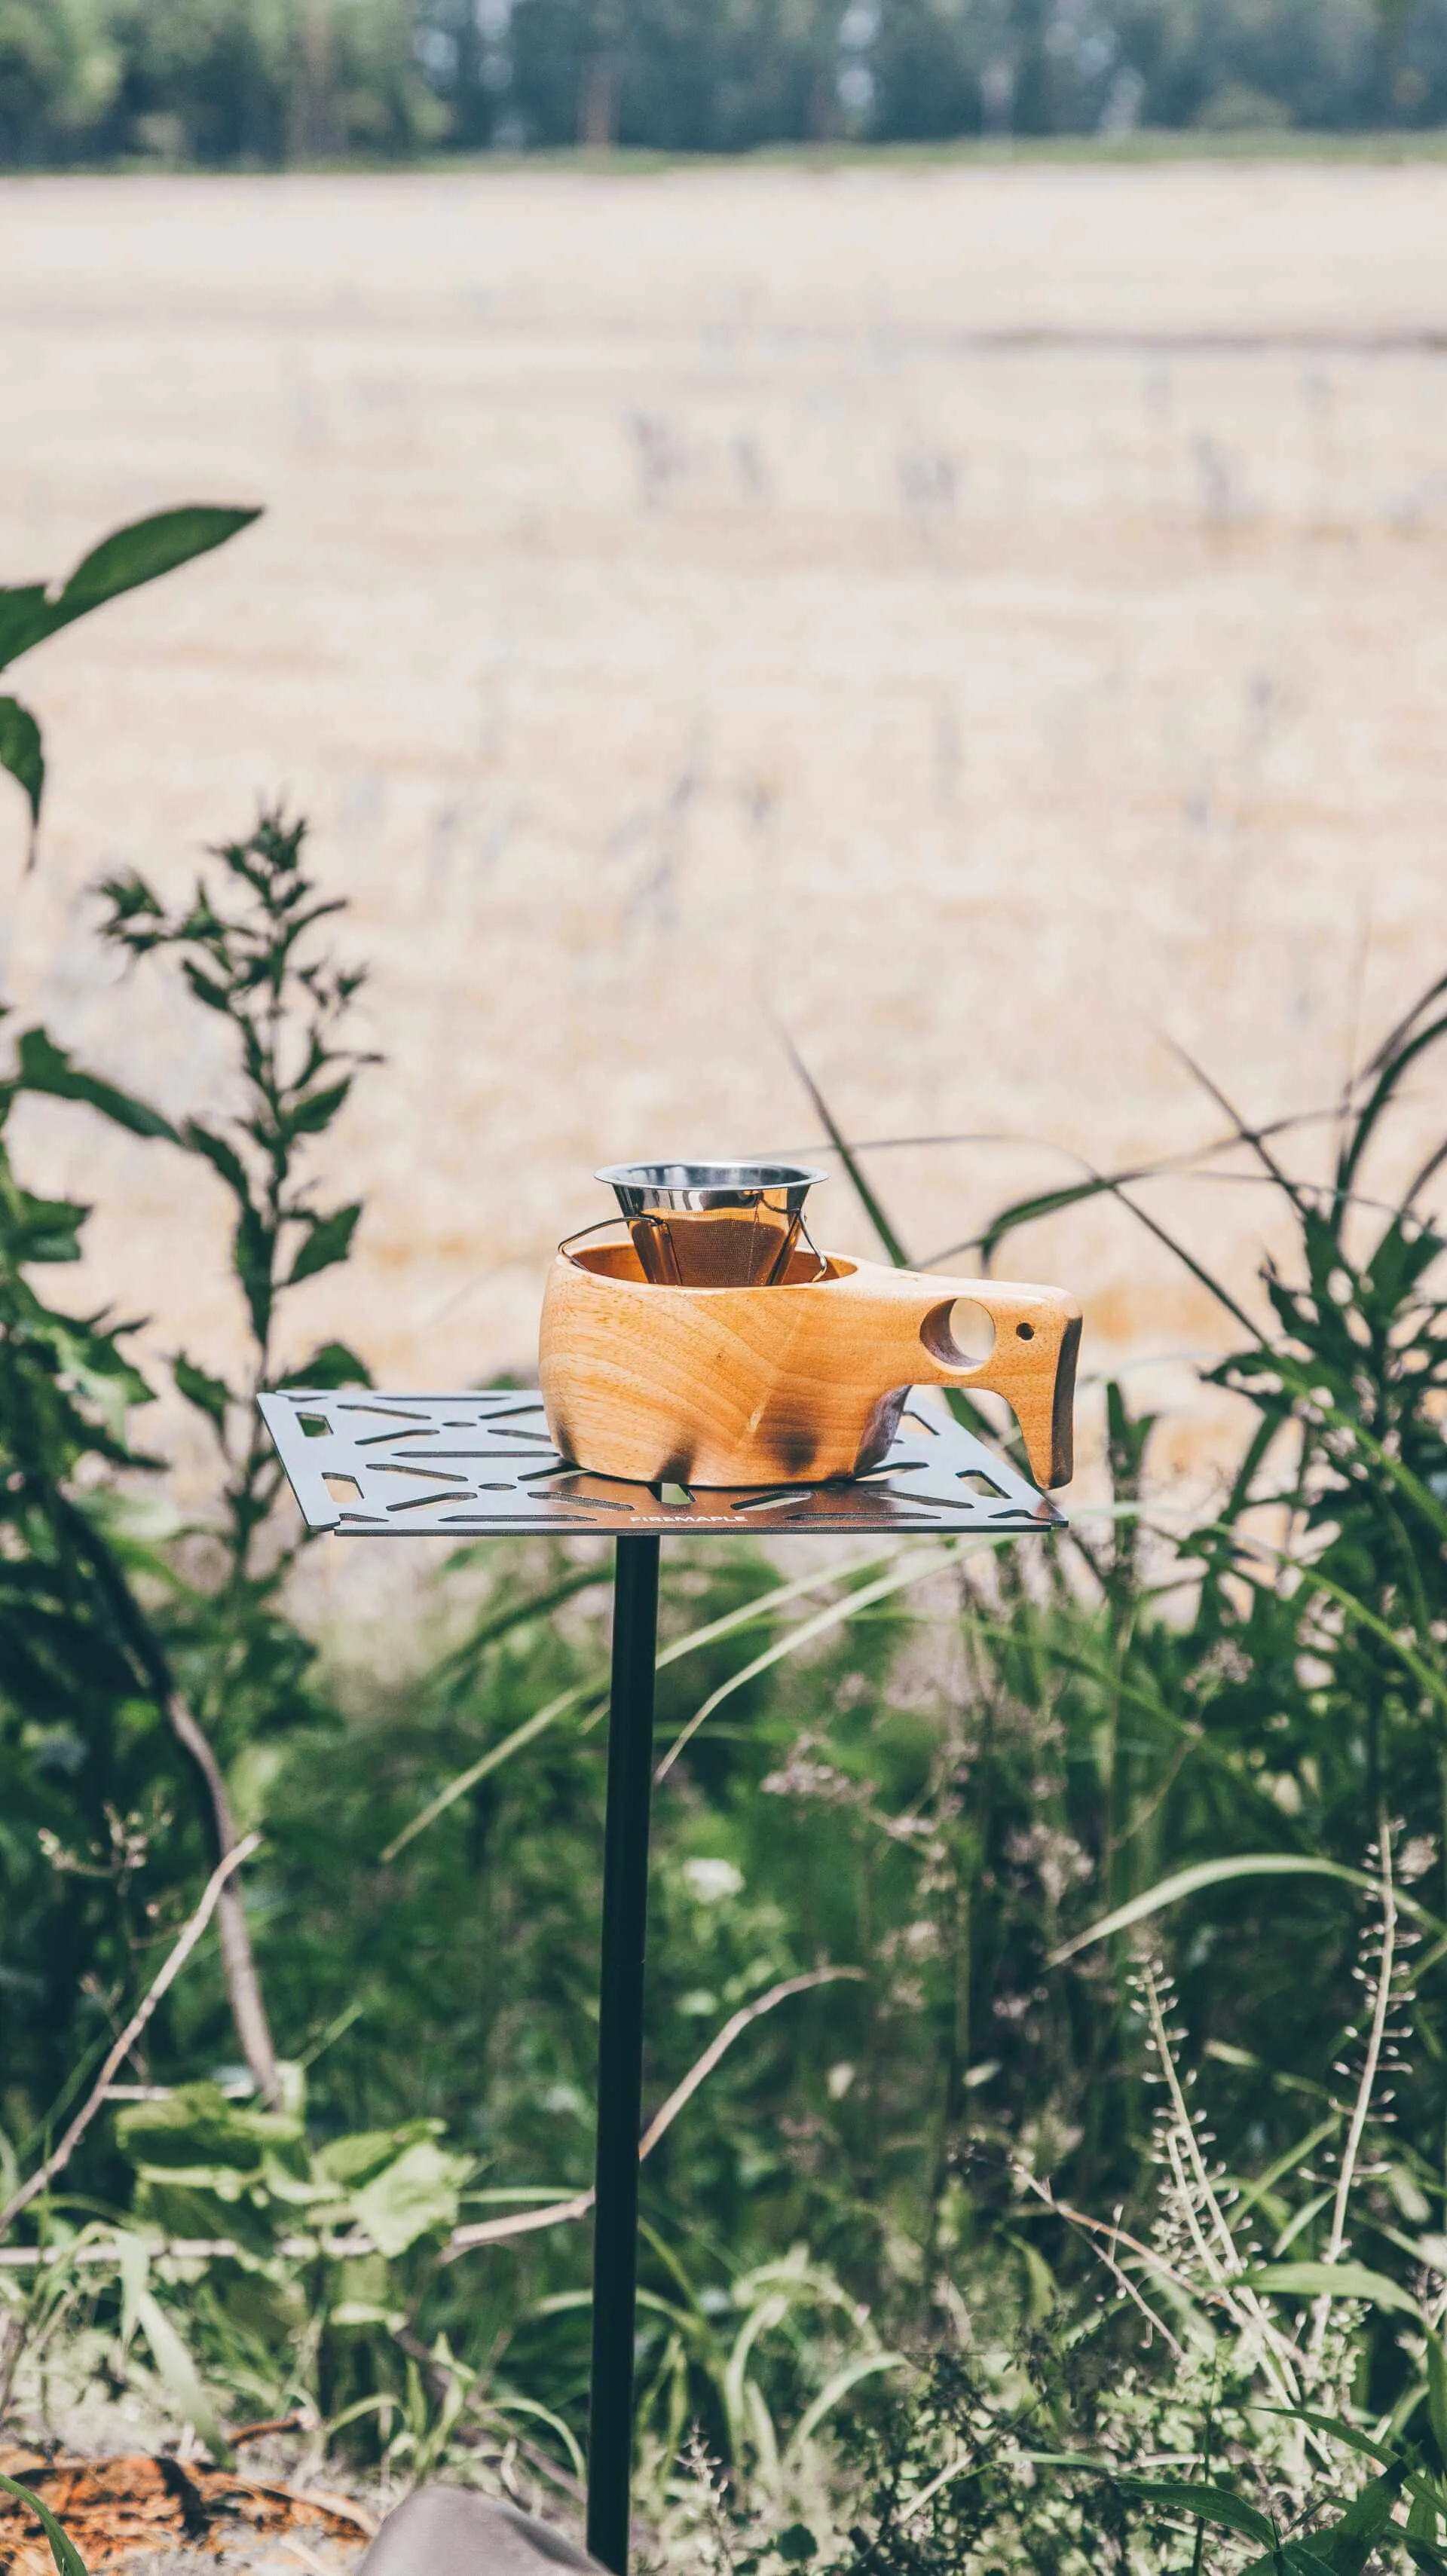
[1031, 1364]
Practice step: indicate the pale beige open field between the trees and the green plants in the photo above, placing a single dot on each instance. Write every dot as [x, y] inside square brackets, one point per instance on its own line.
[985, 617]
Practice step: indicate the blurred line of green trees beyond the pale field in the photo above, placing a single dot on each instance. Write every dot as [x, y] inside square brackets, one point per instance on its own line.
[285, 81]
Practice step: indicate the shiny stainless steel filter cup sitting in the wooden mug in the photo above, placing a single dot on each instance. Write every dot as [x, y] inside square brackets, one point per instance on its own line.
[712, 1225]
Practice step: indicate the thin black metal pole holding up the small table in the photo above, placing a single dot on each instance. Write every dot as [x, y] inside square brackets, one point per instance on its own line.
[622, 2047]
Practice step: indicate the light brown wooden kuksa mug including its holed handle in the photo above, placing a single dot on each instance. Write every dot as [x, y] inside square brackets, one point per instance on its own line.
[784, 1385]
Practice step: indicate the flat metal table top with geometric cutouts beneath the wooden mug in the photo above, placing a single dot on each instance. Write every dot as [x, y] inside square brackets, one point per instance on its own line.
[372, 1464]
